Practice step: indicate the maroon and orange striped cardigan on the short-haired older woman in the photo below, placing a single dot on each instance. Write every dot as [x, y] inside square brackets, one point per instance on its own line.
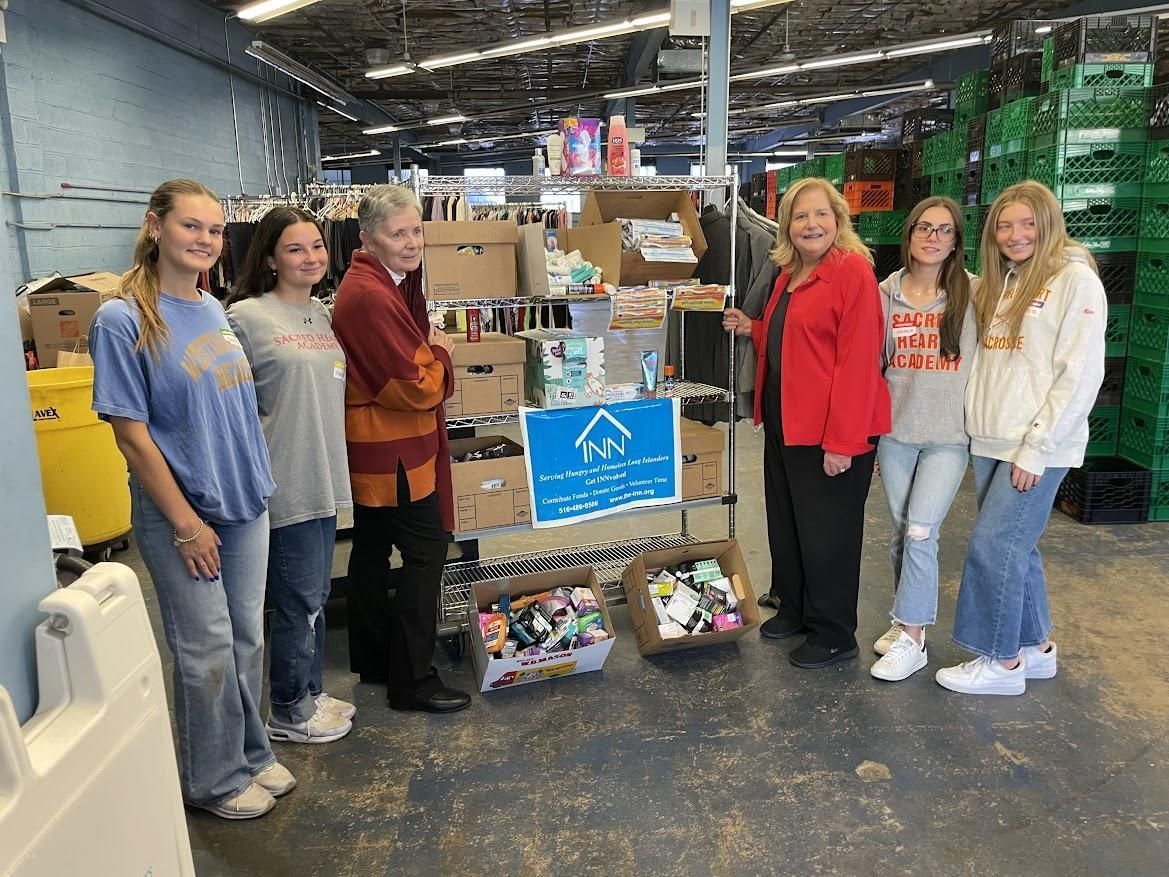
[395, 390]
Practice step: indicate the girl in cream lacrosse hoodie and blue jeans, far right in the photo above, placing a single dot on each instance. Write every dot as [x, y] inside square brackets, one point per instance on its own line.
[1042, 312]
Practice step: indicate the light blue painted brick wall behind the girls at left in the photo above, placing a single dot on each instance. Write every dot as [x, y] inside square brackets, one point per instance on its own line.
[92, 102]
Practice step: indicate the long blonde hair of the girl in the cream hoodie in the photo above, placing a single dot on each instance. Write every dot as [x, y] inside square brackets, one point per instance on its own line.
[1050, 245]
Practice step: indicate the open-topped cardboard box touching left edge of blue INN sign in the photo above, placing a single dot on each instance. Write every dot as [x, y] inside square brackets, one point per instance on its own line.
[489, 493]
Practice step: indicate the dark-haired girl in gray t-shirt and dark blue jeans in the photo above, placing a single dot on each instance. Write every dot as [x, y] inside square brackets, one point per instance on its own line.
[300, 374]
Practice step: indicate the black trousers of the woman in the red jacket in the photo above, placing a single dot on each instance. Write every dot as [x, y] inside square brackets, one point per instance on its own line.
[815, 526]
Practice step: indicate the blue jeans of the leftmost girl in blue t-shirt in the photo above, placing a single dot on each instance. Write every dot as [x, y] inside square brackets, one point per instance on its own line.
[216, 631]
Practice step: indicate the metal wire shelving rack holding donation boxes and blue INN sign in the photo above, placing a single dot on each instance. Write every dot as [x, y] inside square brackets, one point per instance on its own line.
[608, 560]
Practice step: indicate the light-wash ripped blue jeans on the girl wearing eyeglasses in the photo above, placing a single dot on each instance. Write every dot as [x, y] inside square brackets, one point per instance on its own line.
[921, 484]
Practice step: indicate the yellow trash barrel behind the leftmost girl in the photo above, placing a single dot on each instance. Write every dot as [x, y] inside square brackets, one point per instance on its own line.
[82, 472]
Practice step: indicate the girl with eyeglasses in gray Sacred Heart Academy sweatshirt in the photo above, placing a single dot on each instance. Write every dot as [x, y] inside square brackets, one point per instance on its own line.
[930, 341]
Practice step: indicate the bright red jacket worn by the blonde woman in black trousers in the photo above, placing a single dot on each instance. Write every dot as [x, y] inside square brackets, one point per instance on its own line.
[833, 391]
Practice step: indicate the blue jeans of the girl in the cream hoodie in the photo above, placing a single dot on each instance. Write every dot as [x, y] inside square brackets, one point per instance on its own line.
[1002, 604]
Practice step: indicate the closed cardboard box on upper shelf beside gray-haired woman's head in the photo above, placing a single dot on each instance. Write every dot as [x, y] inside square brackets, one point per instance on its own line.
[471, 260]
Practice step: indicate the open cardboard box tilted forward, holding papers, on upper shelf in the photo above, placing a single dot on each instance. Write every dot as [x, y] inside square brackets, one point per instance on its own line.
[598, 236]
